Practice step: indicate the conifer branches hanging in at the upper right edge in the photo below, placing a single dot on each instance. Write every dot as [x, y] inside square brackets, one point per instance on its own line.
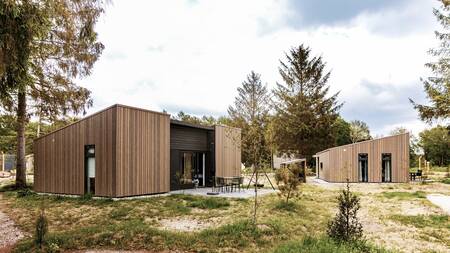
[437, 87]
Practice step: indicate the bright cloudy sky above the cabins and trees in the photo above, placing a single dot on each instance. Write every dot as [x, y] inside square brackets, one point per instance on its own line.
[192, 55]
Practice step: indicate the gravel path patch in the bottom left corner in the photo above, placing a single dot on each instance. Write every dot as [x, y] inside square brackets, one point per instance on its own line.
[9, 233]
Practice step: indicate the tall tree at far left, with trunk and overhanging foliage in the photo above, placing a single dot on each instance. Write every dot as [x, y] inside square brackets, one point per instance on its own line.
[44, 46]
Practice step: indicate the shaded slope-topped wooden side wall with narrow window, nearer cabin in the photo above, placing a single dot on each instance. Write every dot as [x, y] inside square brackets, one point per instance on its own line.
[59, 156]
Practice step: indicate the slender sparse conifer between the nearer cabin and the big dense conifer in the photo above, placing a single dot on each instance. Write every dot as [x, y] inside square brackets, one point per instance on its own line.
[250, 112]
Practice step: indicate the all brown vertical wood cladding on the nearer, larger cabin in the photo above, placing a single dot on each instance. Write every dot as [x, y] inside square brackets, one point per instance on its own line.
[132, 153]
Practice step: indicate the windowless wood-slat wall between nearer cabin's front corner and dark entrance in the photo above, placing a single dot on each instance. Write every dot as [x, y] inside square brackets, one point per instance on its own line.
[142, 151]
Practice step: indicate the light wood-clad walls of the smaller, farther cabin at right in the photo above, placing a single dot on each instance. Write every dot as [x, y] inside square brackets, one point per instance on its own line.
[340, 163]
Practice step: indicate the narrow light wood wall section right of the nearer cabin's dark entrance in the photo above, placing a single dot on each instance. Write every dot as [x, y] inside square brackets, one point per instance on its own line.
[227, 151]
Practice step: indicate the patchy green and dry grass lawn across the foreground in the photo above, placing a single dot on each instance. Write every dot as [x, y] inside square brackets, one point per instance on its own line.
[224, 225]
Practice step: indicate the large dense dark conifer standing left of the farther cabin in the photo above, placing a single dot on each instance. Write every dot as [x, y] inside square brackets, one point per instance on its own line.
[304, 111]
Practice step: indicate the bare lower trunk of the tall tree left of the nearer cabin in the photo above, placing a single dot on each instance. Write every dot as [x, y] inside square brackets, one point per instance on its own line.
[20, 127]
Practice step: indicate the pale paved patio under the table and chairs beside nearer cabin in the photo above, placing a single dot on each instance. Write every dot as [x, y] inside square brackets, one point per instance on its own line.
[243, 193]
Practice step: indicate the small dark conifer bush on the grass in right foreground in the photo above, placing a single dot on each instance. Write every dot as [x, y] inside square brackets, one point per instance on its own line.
[346, 226]
